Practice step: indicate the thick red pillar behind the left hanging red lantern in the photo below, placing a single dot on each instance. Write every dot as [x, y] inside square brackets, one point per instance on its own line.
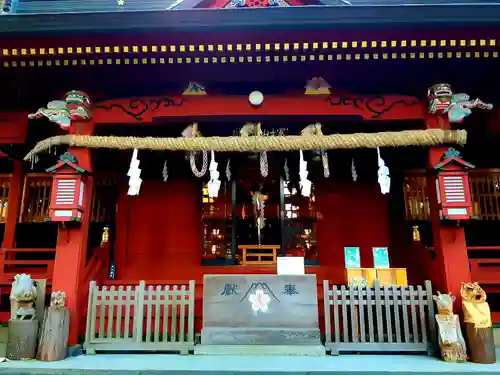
[71, 250]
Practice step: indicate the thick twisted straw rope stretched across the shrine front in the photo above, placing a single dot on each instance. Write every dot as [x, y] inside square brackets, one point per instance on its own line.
[430, 137]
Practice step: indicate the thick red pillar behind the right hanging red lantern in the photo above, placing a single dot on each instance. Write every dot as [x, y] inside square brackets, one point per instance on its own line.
[452, 262]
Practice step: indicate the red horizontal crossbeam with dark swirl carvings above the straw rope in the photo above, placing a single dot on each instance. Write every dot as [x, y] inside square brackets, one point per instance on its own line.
[144, 110]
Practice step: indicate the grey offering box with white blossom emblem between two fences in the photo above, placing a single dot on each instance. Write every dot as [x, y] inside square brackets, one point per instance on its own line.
[275, 310]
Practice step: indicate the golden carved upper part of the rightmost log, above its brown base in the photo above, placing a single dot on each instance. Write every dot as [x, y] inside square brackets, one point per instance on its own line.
[476, 309]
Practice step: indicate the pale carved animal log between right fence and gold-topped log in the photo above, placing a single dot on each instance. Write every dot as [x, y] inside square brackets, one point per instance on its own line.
[451, 340]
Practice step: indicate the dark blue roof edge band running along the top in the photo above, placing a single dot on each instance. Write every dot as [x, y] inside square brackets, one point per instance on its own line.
[325, 17]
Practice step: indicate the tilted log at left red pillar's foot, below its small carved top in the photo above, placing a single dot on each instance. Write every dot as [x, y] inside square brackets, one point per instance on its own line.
[54, 335]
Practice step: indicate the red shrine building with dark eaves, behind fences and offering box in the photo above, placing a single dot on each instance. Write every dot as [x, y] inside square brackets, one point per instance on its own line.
[140, 143]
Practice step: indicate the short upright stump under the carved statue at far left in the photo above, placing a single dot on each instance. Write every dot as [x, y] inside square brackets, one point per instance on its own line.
[23, 335]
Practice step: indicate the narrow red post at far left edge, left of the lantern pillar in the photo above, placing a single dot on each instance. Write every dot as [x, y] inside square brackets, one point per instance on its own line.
[15, 196]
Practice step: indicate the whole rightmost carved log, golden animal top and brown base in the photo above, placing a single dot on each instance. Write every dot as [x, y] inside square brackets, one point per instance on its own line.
[478, 326]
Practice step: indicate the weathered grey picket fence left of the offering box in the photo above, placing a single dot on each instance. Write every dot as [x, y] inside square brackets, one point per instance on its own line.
[156, 318]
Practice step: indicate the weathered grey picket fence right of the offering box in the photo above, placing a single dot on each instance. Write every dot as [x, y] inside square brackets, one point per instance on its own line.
[379, 319]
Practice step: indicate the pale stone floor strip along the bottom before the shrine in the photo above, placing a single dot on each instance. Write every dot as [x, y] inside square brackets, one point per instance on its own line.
[149, 364]
